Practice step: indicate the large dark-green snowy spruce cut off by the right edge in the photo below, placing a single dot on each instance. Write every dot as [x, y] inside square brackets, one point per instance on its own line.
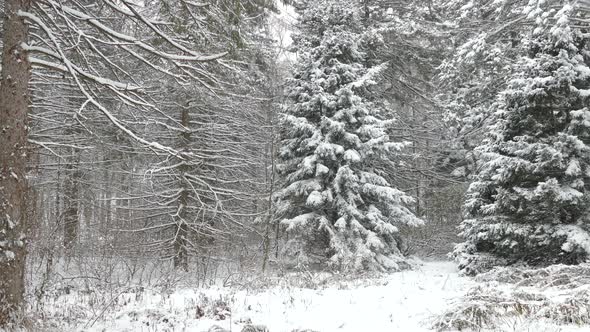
[528, 202]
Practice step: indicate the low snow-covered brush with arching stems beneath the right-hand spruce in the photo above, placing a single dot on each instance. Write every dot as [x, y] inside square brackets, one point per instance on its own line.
[558, 294]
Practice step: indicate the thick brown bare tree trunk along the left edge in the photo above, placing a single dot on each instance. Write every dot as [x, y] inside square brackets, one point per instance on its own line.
[14, 106]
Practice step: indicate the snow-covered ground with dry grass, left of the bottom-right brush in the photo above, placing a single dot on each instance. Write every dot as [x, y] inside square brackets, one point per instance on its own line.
[403, 301]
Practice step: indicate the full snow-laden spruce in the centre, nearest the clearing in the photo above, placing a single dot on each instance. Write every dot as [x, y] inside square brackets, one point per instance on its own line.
[336, 205]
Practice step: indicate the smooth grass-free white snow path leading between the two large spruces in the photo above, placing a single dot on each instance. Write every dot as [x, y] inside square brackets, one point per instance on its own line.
[405, 301]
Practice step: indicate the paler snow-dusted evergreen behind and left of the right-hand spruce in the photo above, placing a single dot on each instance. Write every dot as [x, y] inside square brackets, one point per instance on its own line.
[486, 42]
